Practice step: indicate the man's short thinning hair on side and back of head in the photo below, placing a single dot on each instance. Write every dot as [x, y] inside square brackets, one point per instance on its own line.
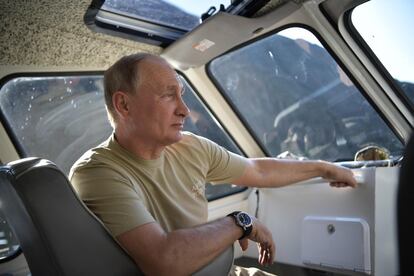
[122, 76]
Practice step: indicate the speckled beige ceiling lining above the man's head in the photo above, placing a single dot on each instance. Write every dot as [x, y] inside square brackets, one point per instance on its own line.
[52, 33]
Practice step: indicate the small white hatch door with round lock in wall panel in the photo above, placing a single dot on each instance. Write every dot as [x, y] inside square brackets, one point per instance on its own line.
[336, 242]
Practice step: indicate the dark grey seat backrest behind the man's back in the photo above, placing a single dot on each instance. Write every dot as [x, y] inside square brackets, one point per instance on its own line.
[57, 233]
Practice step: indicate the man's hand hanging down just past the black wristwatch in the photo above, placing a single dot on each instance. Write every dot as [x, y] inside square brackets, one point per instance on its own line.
[265, 244]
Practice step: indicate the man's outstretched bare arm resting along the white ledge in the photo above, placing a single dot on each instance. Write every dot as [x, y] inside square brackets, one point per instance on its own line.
[271, 172]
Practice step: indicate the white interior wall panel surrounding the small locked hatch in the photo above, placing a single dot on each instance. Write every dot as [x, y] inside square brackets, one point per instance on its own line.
[283, 210]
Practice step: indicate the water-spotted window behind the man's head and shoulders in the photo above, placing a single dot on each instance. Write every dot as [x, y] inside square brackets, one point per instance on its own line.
[59, 118]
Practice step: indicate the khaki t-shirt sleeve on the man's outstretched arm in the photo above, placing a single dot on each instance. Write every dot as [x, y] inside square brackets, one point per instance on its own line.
[224, 166]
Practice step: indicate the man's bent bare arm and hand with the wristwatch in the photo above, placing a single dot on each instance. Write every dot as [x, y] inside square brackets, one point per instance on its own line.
[184, 251]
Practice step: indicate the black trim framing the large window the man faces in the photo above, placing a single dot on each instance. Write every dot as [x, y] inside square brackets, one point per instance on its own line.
[327, 48]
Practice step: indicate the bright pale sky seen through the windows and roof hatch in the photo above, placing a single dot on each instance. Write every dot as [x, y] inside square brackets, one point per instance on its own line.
[384, 24]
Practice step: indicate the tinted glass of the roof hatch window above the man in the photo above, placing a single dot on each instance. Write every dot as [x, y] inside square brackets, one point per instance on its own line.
[181, 14]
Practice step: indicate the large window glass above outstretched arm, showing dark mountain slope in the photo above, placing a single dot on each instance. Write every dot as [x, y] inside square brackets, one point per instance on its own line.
[298, 101]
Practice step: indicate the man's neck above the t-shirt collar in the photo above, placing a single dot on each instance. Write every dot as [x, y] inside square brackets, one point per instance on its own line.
[139, 148]
